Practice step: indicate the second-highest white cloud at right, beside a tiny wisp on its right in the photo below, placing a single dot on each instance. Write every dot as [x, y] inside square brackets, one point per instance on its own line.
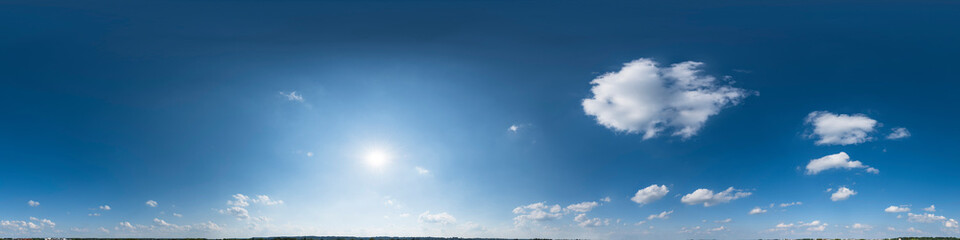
[840, 129]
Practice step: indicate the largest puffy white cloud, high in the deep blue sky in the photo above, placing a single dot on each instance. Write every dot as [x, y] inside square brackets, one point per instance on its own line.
[645, 98]
